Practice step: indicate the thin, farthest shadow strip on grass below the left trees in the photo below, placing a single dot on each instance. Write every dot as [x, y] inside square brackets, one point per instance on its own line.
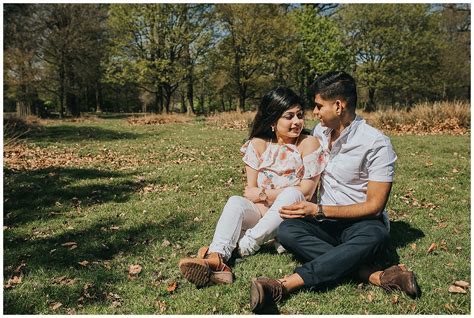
[75, 133]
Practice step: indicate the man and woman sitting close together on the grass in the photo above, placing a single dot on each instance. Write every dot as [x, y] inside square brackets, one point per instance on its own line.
[340, 235]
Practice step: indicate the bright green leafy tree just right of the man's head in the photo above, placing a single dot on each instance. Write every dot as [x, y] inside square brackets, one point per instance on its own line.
[396, 47]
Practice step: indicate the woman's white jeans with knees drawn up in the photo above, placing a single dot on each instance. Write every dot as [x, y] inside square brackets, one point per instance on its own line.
[242, 223]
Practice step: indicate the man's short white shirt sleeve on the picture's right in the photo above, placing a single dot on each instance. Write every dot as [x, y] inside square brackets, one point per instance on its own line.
[381, 160]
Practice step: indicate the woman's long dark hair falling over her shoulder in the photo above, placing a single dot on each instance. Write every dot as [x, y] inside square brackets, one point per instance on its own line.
[273, 105]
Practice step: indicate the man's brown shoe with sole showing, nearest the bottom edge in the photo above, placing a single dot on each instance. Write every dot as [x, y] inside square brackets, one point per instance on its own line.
[265, 292]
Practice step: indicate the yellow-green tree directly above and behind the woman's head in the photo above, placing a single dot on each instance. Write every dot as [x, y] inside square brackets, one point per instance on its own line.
[251, 48]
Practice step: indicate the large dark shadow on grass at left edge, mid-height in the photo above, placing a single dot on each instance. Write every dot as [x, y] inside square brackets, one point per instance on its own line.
[45, 193]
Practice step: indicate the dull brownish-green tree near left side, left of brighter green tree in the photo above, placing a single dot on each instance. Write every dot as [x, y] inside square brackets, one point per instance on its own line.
[71, 50]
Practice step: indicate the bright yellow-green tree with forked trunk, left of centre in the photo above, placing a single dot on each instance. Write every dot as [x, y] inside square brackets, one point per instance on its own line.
[148, 47]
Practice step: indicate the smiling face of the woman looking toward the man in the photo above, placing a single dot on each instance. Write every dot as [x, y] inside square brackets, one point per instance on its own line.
[290, 124]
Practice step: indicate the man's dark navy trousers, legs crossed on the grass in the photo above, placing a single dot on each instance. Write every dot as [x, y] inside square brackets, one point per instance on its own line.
[331, 248]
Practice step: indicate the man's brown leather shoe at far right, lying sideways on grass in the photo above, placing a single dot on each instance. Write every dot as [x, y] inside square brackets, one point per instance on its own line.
[395, 278]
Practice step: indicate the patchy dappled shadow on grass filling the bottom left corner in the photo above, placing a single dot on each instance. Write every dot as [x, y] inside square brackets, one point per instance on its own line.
[98, 243]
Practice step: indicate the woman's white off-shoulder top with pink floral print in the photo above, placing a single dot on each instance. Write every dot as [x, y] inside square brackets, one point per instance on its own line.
[282, 166]
